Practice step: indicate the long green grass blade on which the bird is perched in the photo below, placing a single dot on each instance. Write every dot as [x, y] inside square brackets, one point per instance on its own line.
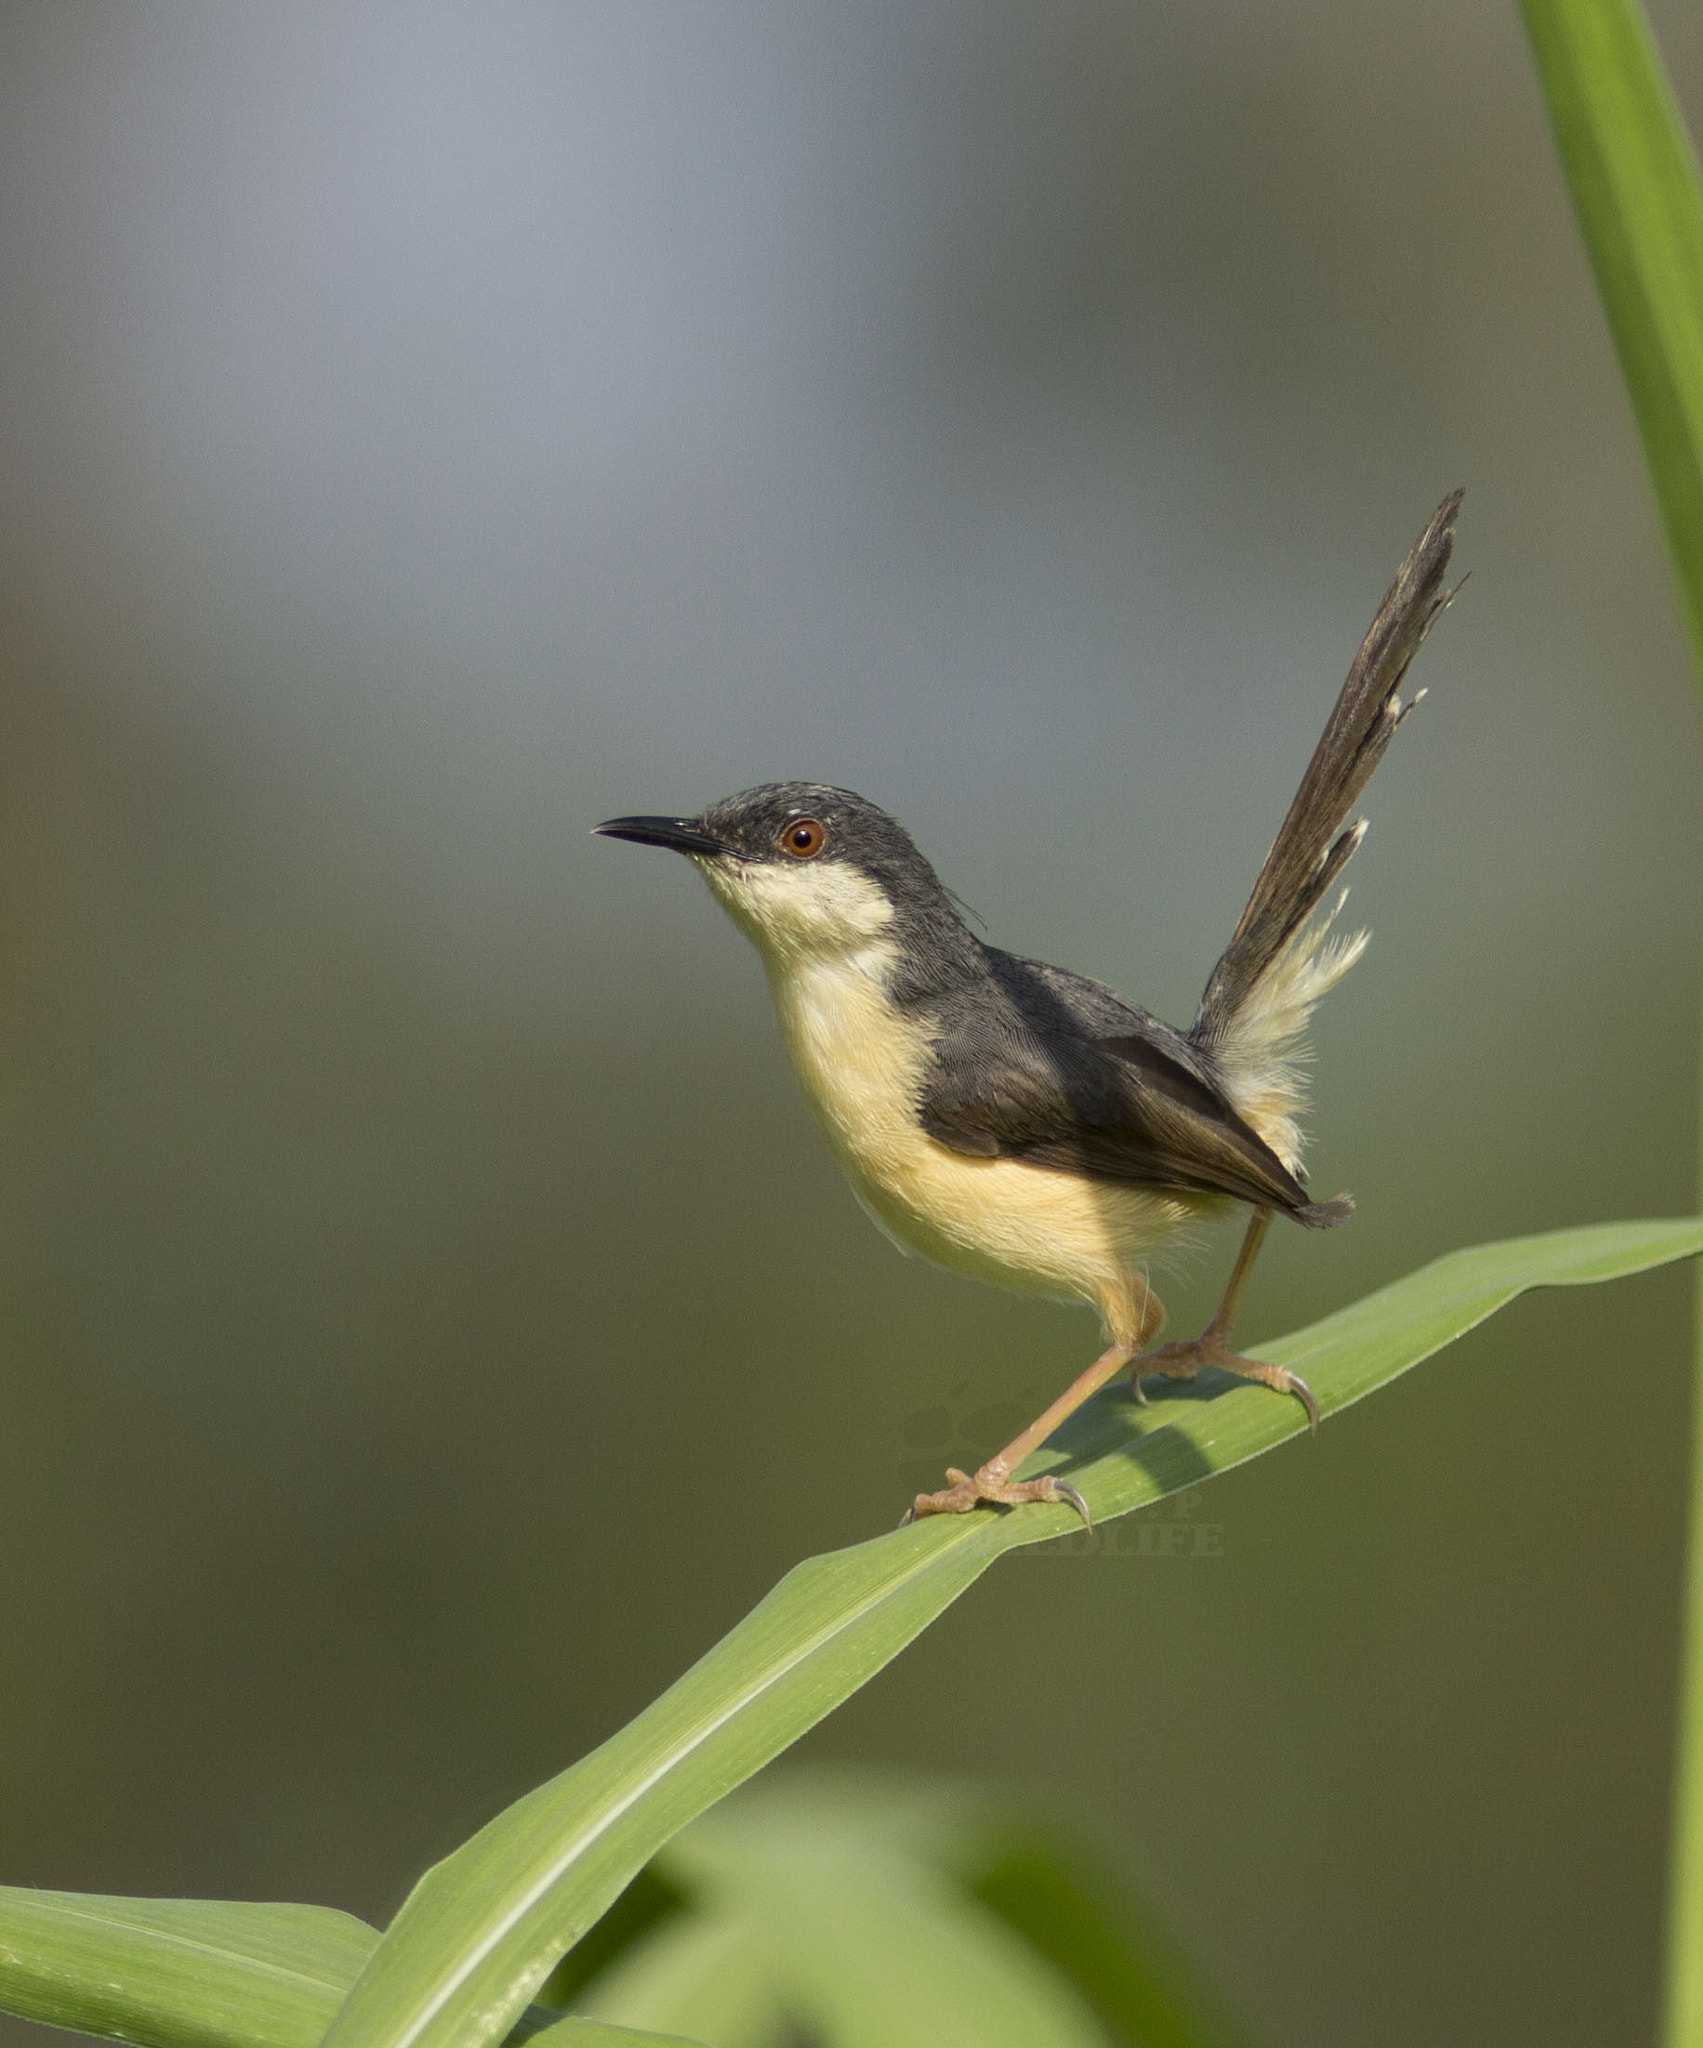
[482, 1930]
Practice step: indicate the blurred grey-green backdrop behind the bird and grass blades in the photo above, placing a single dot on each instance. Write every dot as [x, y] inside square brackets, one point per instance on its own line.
[431, 1316]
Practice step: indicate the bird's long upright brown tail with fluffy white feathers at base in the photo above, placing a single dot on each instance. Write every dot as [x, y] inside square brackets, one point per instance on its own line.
[1278, 966]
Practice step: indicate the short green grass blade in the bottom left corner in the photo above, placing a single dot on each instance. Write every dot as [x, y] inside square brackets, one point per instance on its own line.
[179, 1973]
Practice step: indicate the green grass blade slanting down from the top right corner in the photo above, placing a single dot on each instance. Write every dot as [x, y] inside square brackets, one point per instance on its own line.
[1641, 206]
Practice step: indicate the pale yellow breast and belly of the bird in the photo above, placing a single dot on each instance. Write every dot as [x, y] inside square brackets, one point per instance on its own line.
[1029, 1228]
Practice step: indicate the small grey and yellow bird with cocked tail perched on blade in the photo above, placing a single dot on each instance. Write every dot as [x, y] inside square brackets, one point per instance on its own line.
[1022, 1123]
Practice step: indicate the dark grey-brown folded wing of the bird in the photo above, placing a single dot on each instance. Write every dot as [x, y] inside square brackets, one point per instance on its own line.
[1065, 1074]
